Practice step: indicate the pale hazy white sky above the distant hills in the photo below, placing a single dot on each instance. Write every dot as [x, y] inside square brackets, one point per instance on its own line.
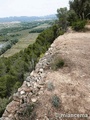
[30, 7]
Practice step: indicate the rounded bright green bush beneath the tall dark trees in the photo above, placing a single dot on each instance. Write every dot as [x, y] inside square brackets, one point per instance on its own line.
[79, 25]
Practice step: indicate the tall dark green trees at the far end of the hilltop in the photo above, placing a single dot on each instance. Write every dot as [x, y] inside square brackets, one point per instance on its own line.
[76, 16]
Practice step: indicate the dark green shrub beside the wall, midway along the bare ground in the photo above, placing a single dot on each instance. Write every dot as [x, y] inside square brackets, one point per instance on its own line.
[57, 63]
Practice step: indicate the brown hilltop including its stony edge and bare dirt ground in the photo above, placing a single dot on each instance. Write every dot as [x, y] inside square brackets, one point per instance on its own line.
[48, 93]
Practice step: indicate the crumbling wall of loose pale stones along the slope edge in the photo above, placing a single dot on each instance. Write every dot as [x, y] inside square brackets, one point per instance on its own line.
[31, 88]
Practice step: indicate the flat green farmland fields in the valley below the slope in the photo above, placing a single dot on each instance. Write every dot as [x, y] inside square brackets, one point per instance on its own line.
[21, 33]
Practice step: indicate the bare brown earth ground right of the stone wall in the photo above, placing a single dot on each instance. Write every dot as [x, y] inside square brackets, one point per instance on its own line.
[72, 82]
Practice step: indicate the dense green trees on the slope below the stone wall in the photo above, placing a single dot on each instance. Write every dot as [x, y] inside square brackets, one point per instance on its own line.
[13, 69]
